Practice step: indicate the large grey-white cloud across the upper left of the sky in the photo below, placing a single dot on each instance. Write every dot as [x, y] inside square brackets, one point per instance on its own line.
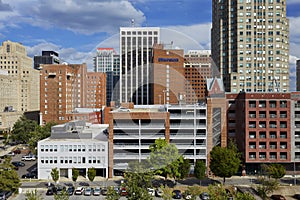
[85, 17]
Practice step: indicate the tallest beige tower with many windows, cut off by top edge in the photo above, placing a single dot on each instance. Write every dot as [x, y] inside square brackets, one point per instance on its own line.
[250, 45]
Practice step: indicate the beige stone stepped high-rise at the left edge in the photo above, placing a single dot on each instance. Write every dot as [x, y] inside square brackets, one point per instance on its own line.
[17, 66]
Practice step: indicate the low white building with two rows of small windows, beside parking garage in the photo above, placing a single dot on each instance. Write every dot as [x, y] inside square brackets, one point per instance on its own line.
[71, 145]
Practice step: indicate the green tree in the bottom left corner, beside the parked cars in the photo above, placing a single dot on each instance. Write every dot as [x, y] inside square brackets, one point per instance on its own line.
[9, 179]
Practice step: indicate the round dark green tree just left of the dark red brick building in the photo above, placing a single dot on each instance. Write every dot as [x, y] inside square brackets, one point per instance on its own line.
[224, 161]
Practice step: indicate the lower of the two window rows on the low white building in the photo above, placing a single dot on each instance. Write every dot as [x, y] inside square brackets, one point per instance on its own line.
[73, 160]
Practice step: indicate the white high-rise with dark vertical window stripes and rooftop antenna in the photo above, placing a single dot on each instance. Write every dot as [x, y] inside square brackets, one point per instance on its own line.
[136, 45]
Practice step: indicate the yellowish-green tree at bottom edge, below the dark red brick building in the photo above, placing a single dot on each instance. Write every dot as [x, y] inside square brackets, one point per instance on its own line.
[266, 187]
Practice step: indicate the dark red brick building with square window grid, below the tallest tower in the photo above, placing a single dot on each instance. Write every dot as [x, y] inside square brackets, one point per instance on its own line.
[261, 125]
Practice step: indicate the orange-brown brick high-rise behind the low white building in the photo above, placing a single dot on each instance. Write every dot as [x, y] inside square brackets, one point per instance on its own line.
[64, 88]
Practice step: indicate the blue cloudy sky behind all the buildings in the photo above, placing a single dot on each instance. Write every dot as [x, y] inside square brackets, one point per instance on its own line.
[75, 28]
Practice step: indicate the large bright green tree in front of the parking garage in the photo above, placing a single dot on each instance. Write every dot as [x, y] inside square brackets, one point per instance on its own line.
[165, 159]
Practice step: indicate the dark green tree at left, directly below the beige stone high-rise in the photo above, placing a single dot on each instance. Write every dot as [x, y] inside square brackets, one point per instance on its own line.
[22, 129]
